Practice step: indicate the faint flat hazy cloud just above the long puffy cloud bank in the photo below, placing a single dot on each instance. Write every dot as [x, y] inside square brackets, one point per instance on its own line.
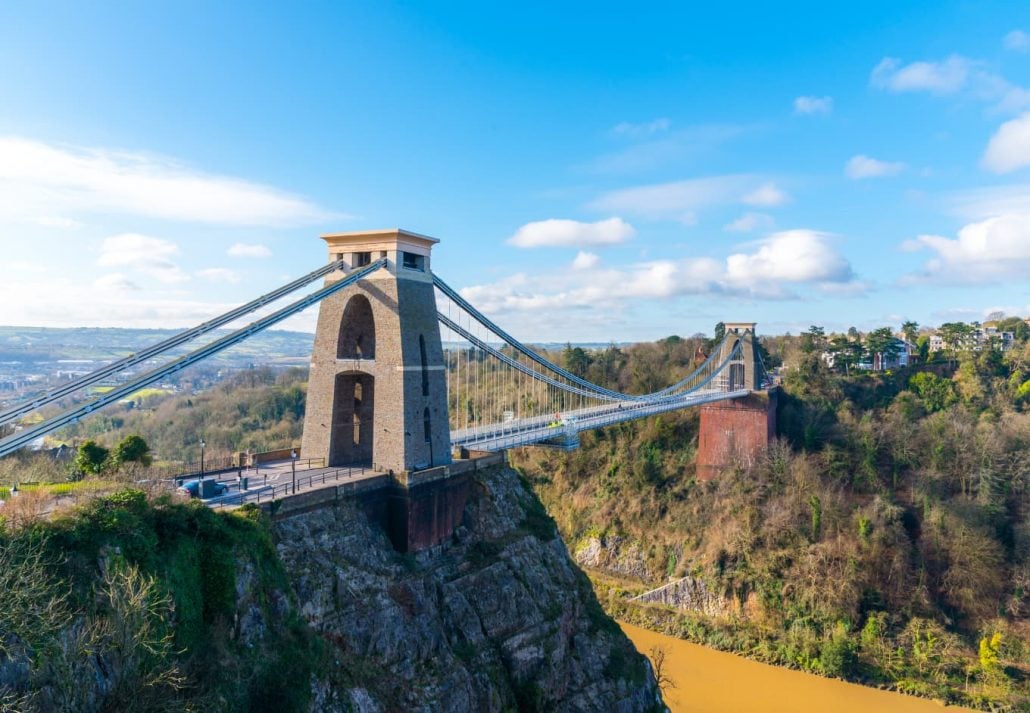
[683, 199]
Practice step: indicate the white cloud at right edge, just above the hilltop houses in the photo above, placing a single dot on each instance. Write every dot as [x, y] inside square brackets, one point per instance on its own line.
[983, 252]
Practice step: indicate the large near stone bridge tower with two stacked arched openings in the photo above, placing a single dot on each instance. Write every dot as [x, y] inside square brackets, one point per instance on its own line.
[377, 394]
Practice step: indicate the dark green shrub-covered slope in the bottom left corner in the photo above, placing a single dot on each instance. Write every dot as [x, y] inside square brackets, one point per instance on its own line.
[142, 599]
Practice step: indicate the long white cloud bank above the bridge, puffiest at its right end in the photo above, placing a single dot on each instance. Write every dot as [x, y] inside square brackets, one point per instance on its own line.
[781, 263]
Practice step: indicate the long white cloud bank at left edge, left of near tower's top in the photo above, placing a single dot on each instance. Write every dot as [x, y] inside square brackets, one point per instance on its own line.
[45, 182]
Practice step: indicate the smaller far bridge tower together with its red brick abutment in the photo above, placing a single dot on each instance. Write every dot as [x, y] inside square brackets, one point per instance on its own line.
[739, 430]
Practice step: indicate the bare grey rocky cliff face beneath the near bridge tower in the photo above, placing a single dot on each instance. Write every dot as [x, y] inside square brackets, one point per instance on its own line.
[498, 620]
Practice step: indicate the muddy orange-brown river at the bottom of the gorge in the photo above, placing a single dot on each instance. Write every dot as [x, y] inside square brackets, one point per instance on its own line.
[710, 682]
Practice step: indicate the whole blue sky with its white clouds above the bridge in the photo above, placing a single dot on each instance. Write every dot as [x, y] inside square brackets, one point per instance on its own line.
[594, 174]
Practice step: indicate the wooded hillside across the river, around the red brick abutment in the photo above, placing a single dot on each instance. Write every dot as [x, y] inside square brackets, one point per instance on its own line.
[885, 538]
